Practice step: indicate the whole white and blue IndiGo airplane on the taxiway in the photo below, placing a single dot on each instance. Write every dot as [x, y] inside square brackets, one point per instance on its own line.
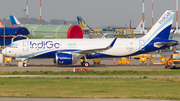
[69, 51]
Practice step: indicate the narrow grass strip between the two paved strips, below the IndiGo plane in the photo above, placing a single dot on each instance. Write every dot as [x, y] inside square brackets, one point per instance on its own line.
[92, 72]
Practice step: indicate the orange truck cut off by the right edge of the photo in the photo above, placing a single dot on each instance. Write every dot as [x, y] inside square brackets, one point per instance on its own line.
[173, 61]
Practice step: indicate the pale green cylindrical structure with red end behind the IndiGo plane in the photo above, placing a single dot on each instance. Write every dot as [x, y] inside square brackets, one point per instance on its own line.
[54, 31]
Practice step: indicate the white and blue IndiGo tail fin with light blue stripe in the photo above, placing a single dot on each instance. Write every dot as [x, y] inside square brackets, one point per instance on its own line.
[161, 29]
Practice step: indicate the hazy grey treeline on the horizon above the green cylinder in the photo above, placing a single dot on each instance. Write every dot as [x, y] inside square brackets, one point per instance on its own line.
[37, 21]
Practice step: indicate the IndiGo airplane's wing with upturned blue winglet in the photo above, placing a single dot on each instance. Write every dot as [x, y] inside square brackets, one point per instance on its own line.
[89, 52]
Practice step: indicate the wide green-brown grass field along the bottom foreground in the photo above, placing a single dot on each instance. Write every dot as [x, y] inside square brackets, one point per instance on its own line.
[141, 88]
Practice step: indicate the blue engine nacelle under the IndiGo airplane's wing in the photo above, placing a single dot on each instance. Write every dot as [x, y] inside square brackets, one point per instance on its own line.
[63, 58]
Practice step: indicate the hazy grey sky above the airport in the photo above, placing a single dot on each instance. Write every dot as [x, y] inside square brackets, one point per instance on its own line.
[102, 12]
